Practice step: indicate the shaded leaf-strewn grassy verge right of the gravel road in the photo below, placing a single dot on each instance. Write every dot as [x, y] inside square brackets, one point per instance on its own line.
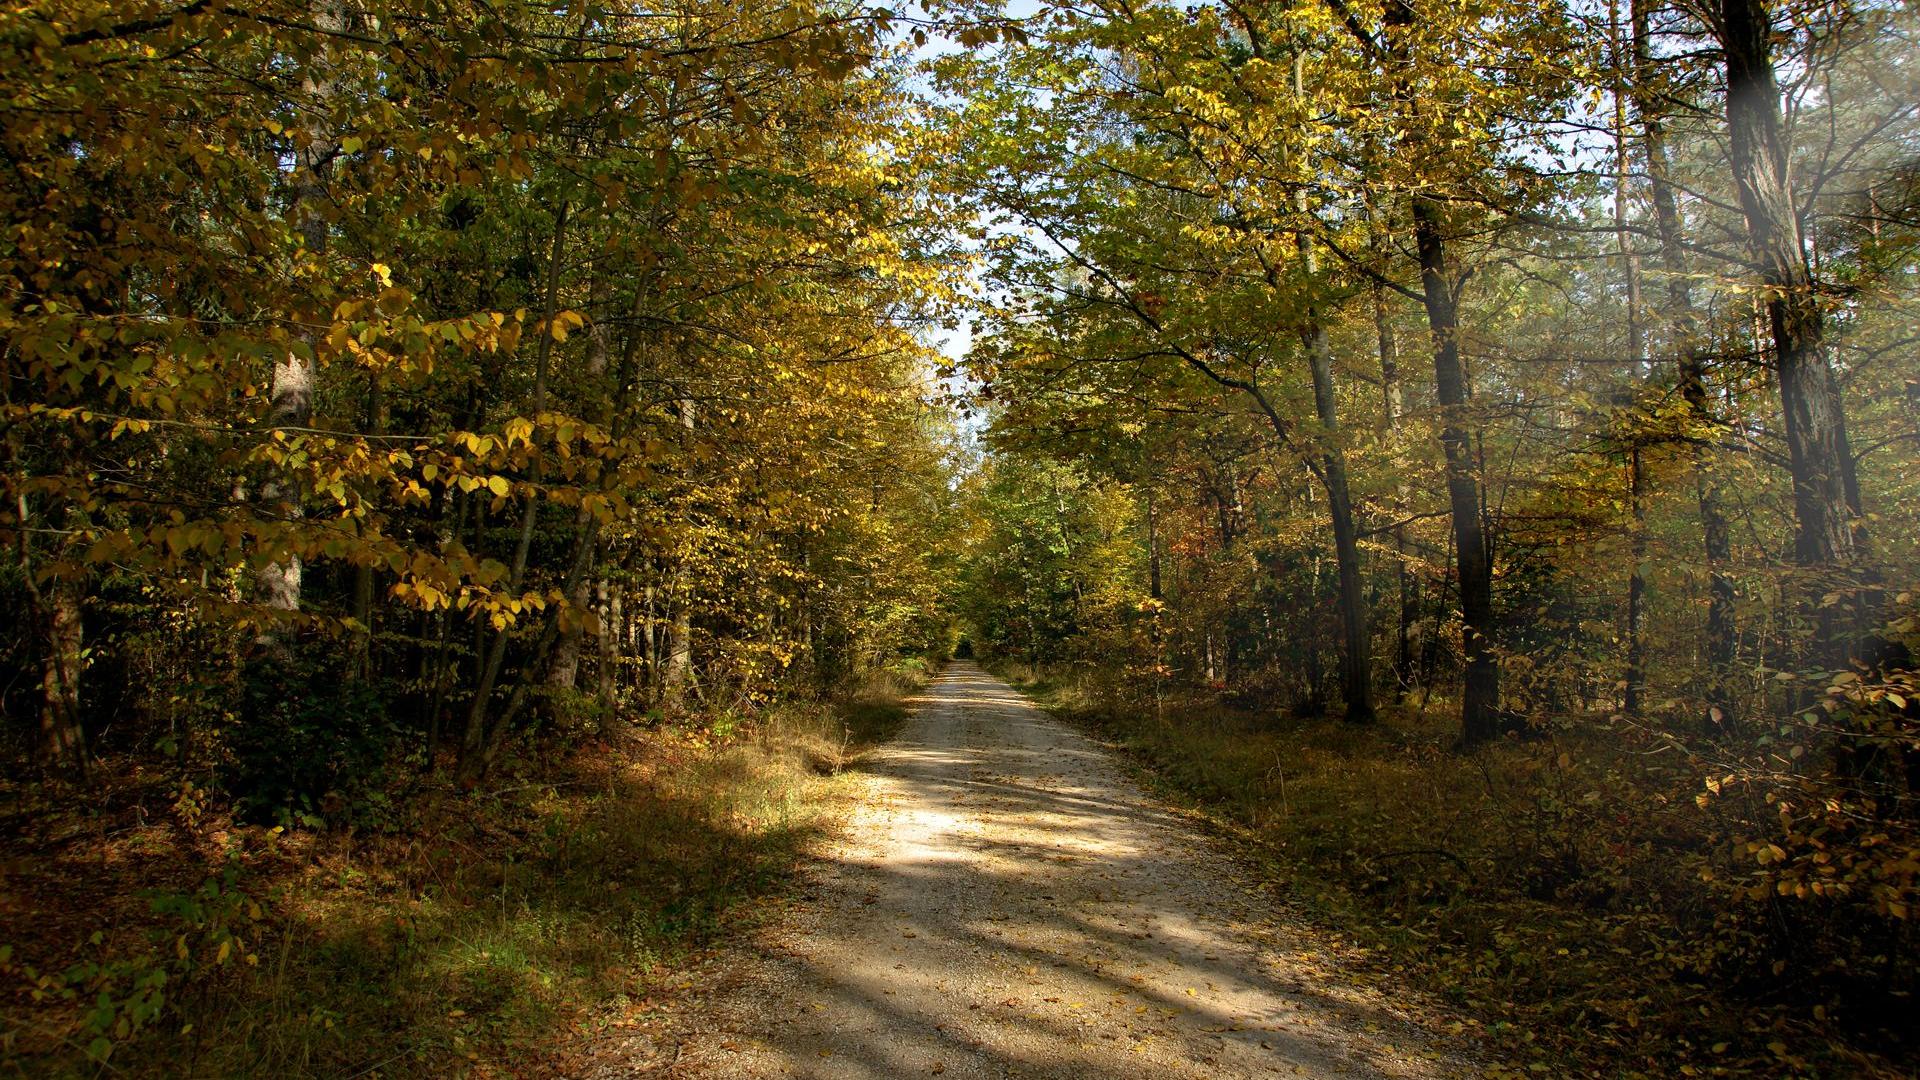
[1566, 929]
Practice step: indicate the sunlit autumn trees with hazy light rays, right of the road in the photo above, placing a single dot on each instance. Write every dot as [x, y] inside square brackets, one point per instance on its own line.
[1545, 364]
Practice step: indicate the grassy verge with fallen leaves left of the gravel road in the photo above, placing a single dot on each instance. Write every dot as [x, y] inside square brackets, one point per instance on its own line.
[487, 935]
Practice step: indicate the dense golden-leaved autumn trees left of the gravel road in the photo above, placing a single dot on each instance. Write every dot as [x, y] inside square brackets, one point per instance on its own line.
[383, 381]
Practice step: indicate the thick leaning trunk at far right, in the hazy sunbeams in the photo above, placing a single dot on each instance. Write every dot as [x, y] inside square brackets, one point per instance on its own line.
[1825, 489]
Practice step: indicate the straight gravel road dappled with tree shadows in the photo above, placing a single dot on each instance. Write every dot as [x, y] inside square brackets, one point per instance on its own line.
[1009, 904]
